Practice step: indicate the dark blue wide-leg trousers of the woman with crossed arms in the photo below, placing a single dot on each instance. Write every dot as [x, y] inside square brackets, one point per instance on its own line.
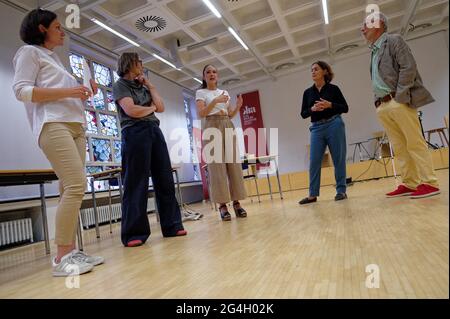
[144, 153]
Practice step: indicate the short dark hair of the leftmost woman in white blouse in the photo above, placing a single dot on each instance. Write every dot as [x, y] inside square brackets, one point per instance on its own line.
[29, 30]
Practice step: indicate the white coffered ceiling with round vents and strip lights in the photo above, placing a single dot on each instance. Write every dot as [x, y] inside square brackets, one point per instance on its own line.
[283, 35]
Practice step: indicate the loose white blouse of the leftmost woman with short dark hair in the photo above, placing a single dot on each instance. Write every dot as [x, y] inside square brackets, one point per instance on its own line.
[36, 66]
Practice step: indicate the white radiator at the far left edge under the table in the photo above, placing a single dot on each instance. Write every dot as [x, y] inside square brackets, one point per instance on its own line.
[16, 231]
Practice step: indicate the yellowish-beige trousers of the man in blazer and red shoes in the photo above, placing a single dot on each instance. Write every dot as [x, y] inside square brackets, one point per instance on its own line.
[411, 151]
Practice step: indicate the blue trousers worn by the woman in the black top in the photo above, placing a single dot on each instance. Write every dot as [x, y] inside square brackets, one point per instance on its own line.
[331, 134]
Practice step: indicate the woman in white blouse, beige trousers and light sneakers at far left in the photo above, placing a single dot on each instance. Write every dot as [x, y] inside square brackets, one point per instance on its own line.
[54, 103]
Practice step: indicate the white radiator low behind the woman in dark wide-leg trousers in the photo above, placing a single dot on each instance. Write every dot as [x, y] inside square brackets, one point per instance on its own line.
[88, 218]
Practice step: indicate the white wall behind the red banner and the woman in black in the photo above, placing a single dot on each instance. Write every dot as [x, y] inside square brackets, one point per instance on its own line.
[281, 100]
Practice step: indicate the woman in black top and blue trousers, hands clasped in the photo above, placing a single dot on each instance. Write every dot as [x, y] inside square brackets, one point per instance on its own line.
[324, 103]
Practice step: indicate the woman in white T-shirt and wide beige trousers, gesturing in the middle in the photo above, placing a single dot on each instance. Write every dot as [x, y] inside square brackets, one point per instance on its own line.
[226, 179]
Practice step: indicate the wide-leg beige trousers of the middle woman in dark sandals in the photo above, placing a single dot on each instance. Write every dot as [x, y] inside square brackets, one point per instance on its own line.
[225, 173]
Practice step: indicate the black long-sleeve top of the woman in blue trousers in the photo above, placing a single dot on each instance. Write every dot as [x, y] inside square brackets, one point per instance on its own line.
[329, 92]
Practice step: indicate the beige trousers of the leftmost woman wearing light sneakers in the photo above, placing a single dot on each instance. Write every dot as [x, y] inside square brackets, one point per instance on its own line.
[64, 145]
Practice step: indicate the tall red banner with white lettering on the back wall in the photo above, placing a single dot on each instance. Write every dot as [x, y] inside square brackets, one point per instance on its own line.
[251, 118]
